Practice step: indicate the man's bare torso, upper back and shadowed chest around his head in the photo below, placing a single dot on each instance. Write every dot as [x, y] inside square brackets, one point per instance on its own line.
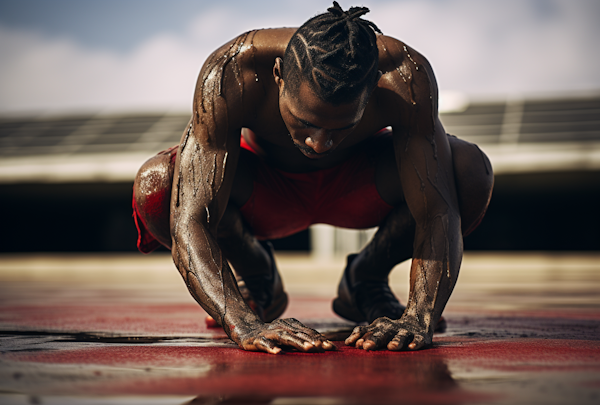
[389, 105]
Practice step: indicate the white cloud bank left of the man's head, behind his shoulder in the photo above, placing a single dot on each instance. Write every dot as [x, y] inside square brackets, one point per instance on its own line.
[56, 75]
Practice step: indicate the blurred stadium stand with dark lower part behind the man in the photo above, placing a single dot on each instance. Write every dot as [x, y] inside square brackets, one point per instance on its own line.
[545, 154]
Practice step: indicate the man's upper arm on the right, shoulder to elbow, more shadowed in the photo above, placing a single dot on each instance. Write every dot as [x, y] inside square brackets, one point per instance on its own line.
[420, 141]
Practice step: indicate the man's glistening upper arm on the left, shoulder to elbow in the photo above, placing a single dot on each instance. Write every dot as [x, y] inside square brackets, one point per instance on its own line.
[209, 149]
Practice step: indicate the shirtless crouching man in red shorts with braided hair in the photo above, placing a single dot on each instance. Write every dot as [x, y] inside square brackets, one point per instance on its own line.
[311, 105]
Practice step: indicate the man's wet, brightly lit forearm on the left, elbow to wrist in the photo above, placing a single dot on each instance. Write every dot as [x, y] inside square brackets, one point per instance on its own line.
[210, 280]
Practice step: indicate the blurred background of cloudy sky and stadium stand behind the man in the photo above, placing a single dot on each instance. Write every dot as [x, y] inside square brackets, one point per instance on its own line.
[90, 90]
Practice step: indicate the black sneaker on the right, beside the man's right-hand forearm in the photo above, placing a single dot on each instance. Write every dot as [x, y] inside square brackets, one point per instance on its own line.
[366, 300]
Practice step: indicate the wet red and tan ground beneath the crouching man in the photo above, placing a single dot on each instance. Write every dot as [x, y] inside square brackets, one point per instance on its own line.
[122, 329]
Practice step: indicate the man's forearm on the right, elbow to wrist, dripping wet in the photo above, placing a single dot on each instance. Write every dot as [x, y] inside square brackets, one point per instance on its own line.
[434, 271]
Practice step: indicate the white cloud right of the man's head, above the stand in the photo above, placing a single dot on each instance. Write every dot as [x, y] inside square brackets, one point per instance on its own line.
[512, 46]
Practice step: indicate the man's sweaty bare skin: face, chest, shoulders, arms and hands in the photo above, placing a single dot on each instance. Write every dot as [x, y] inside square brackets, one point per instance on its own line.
[240, 87]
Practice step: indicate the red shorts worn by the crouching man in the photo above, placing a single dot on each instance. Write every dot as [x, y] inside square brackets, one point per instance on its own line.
[284, 203]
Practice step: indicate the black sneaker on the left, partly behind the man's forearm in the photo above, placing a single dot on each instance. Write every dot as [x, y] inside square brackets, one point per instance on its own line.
[264, 294]
